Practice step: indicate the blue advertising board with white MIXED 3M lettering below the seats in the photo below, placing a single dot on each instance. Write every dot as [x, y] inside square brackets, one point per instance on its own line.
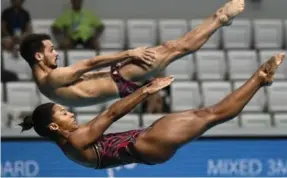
[246, 158]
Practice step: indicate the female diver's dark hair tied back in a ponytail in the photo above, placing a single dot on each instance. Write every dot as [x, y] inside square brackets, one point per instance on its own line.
[40, 120]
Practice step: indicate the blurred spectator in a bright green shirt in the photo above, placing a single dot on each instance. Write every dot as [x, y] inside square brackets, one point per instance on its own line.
[77, 26]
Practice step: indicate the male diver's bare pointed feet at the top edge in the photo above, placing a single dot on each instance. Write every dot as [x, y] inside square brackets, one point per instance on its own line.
[230, 10]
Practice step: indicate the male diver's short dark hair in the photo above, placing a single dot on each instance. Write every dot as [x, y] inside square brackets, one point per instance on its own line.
[32, 44]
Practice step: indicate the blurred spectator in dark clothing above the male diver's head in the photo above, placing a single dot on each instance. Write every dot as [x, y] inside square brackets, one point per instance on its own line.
[16, 24]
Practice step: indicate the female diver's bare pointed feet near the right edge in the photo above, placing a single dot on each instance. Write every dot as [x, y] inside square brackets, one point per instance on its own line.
[267, 70]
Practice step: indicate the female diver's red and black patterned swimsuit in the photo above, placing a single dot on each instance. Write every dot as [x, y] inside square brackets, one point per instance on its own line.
[117, 149]
